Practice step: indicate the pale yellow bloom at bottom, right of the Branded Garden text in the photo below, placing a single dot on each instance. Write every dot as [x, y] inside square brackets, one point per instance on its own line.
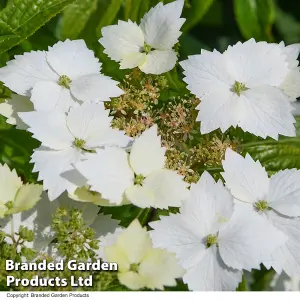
[139, 264]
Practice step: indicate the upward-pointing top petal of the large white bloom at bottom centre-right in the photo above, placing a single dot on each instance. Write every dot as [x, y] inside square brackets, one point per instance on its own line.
[209, 206]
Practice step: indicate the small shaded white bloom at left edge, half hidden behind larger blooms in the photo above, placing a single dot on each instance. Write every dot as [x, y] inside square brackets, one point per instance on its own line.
[11, 107]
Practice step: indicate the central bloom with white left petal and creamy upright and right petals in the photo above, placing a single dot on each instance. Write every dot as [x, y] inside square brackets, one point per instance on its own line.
[140, 176]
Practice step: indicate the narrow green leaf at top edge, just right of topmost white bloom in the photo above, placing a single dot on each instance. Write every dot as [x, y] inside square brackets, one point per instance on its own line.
[196, 12]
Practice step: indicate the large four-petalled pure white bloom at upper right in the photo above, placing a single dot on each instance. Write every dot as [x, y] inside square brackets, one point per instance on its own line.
[241, 88]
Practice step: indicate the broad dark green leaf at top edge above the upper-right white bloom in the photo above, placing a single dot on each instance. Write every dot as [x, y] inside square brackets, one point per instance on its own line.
[255, 18]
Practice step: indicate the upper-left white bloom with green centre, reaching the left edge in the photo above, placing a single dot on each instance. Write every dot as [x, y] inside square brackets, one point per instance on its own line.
[62, 77]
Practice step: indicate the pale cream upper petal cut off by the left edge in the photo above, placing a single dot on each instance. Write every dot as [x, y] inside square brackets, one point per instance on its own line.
[9, 184]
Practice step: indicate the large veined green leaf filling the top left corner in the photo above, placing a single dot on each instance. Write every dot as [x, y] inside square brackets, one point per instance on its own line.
[21, 18]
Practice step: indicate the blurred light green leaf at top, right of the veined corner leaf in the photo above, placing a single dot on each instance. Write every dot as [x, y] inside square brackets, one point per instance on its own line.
[75, 17]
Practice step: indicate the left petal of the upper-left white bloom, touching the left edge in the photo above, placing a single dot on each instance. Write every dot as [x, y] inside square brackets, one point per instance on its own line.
[23, 72]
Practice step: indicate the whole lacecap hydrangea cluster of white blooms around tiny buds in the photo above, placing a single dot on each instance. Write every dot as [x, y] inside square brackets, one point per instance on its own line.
[105, 144]
